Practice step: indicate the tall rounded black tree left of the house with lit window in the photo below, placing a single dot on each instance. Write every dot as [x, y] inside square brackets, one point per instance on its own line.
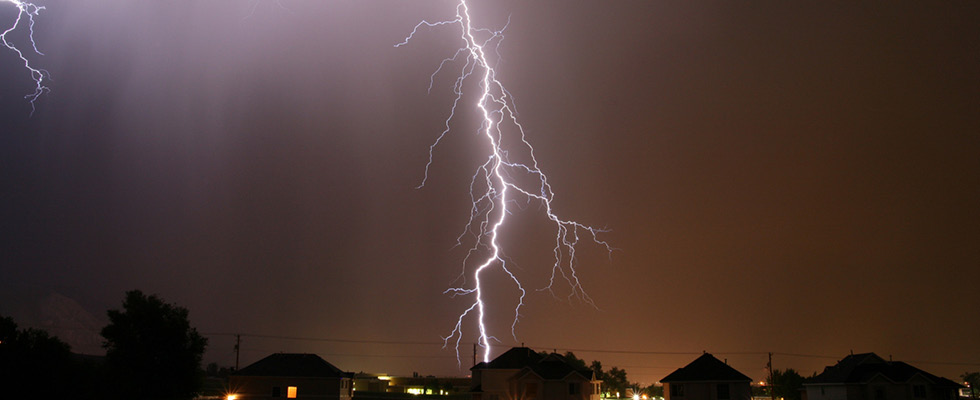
[152, 352]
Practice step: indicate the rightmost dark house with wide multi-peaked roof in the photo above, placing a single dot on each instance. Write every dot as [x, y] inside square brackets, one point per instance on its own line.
[869, 377]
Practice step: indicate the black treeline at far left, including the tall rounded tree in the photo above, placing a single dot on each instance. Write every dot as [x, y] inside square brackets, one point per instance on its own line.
[152, 353]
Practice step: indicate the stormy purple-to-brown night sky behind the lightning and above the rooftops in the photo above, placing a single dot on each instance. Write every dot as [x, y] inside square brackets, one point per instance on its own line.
[777, 176]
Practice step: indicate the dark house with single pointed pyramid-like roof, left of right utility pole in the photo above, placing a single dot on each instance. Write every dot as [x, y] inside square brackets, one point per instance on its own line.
[707, 378]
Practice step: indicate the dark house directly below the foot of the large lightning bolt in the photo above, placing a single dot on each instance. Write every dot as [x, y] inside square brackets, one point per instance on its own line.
[523, 374]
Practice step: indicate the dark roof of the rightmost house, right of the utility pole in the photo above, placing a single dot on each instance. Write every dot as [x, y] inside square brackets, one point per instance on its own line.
[861, 368]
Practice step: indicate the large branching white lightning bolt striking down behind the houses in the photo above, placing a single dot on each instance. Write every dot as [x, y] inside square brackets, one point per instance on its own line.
[497, 179]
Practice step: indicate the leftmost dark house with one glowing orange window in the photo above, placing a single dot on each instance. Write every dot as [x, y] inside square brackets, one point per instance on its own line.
[290, 376]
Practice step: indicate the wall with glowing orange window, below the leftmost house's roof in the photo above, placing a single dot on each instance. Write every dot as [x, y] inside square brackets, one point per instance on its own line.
[261, 387]
